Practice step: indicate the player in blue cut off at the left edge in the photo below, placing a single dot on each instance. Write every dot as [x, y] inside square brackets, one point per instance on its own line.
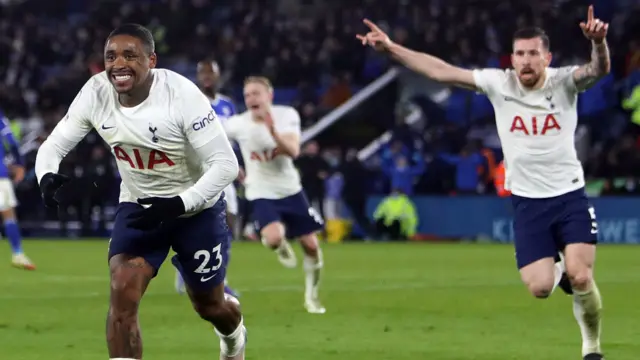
[8, 201]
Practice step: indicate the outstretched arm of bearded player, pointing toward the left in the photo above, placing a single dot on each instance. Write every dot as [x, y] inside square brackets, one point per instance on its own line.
[427, 65]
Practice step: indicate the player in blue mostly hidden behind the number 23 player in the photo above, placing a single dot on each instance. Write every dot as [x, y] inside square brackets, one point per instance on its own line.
[208, 77]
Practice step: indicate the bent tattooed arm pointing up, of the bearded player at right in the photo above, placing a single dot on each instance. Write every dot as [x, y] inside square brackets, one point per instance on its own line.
[600, 65]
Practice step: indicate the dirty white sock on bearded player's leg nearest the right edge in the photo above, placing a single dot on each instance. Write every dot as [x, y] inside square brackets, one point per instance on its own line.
[587, 306]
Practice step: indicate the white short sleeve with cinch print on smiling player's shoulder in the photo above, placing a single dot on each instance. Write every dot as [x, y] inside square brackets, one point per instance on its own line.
[200, 122]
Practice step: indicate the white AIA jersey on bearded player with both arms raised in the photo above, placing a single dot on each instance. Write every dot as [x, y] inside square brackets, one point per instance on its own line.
[536, 129]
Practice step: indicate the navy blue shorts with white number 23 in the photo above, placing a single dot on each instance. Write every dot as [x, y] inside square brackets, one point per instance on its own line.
[201, 243]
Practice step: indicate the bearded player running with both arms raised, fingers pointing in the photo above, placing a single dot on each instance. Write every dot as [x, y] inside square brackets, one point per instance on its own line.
[536, 116]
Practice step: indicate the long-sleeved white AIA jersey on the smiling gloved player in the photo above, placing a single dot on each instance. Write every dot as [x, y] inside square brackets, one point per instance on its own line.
[161, 146]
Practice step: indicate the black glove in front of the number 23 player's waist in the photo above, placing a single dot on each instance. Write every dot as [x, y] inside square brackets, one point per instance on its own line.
[161, 209]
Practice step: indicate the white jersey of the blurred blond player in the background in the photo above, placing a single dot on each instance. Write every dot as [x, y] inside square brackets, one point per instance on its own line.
[270, 175]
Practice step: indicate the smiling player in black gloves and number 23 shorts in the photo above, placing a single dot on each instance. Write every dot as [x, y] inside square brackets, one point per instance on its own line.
[175, 161]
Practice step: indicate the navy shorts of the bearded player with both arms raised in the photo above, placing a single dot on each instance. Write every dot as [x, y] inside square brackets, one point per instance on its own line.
[543, 227]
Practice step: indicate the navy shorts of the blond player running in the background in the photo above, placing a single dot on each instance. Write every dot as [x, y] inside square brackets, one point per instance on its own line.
[294, 211]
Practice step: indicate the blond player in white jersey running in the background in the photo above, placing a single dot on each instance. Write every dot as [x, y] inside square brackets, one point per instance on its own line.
[269, 138]
